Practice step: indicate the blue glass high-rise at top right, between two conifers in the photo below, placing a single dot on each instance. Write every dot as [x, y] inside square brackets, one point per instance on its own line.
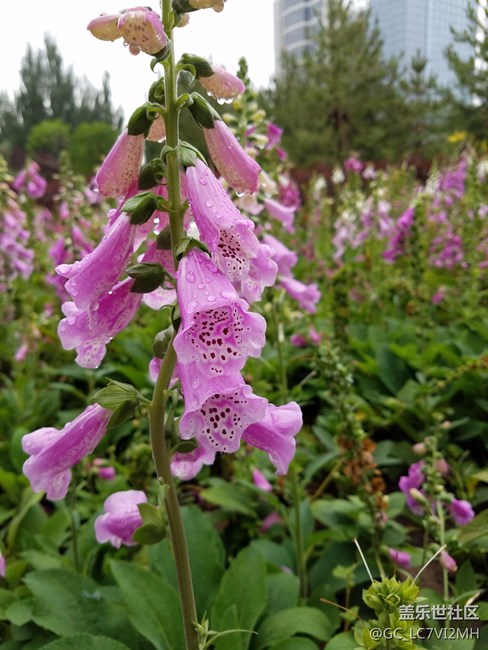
[411, 26]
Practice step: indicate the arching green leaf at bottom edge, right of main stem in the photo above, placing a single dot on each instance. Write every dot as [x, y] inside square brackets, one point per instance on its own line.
[297, 620]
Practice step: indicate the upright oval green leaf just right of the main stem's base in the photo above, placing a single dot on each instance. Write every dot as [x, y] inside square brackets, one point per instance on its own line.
[243, 586]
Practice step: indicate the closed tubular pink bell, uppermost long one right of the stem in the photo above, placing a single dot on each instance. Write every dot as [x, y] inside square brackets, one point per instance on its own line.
[234, 164]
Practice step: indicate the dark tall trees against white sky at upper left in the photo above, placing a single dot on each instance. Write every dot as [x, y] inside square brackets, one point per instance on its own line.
[50, 92]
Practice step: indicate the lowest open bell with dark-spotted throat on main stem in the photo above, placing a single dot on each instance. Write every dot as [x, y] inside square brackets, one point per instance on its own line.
[218, 424]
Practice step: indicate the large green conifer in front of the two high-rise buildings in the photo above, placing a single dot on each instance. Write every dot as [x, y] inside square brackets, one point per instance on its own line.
[342, 96]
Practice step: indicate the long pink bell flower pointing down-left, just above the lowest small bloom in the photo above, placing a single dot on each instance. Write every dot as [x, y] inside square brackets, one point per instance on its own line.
[53, 452]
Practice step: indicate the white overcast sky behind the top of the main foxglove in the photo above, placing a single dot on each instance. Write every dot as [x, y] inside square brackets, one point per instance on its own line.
[244, 28]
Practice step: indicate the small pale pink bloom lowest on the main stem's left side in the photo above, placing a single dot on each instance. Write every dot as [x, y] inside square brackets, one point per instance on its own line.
[121, 518]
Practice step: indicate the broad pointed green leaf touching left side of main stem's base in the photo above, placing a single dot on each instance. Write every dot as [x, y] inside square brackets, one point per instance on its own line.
[152, 605]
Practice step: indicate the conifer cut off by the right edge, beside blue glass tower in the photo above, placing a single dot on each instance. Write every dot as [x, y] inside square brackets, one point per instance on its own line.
[470, 106]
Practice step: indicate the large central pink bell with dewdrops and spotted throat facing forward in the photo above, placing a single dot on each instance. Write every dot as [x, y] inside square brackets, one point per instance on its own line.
[217, 332]
